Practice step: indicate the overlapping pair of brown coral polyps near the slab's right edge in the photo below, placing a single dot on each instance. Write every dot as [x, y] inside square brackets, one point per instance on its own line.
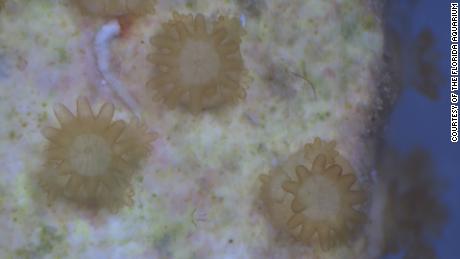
[315, 202]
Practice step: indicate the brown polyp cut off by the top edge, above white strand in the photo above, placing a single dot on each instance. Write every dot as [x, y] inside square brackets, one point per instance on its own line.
[116, 7]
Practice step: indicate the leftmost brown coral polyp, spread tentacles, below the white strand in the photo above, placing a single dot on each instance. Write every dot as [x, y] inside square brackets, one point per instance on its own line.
[91, 158]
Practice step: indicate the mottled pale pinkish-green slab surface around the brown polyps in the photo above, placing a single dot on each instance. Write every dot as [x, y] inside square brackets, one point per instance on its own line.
[311, 64]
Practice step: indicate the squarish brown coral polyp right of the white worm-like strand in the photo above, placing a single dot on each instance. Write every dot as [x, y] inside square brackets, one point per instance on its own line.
[199, 63]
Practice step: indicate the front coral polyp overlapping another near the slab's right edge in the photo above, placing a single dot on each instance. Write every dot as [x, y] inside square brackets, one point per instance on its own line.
[323, 202]
